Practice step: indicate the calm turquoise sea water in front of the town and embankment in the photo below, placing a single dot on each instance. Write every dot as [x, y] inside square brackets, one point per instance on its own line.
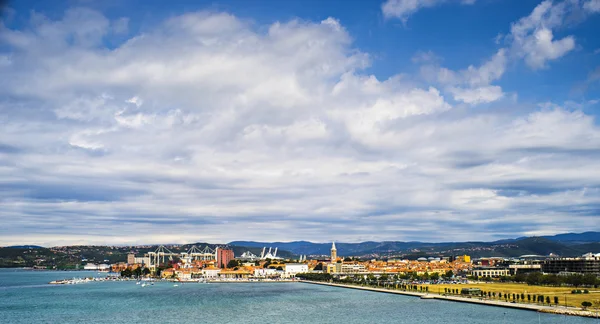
[25, 297]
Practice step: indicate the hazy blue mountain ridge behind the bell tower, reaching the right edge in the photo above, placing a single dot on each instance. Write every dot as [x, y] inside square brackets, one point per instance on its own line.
[570, 244]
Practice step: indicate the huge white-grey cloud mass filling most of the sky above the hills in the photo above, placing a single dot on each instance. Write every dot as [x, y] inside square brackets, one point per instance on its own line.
[207, 126]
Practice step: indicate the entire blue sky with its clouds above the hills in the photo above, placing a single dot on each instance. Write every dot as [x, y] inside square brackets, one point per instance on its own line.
[132, 122]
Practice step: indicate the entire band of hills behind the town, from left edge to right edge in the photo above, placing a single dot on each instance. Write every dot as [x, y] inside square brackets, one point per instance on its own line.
[570, 244]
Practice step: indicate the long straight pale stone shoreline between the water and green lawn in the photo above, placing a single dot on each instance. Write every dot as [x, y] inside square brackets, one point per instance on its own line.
[538, 308]
